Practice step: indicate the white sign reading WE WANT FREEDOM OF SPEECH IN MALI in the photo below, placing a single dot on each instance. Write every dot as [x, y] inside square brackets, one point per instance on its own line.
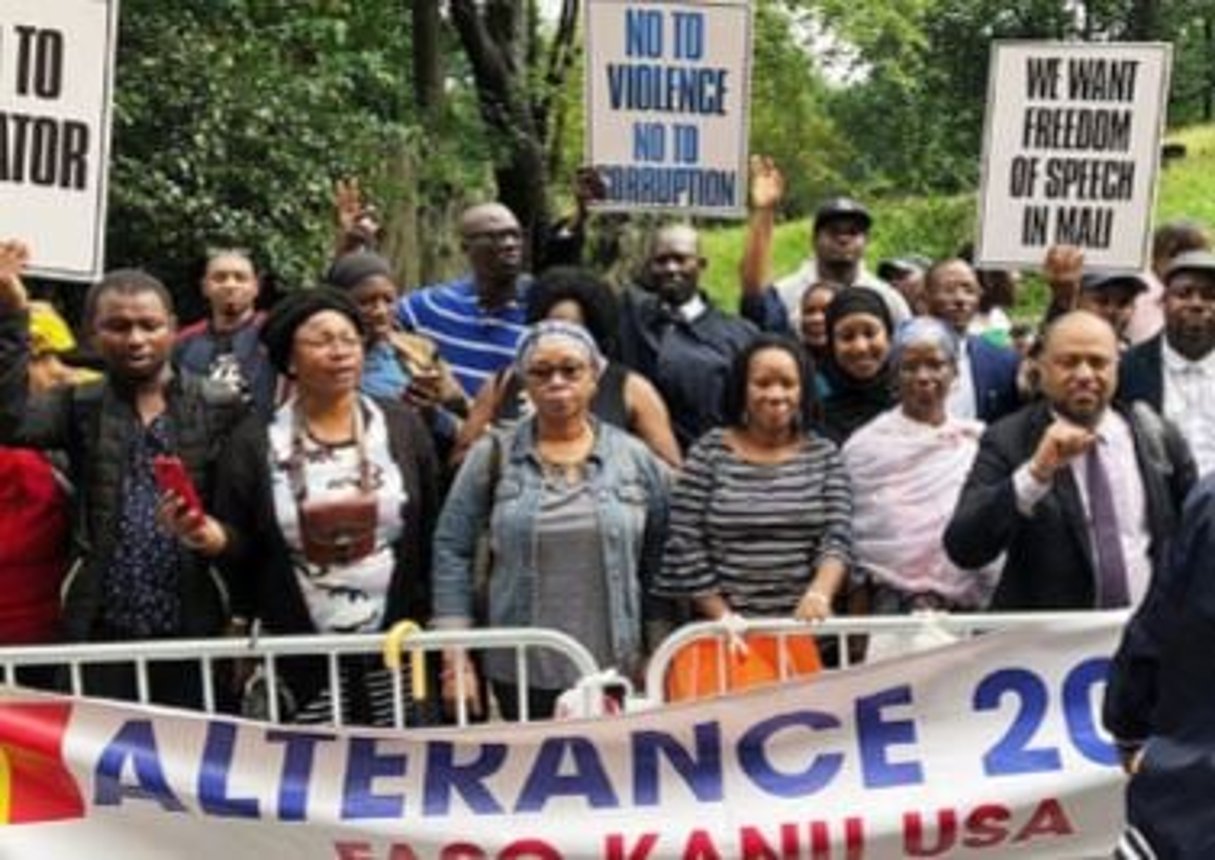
[1071, 152]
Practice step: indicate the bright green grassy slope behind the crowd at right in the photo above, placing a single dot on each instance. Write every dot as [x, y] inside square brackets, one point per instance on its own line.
[937, 227]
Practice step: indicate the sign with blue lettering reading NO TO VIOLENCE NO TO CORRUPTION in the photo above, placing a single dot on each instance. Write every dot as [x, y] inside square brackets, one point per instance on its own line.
[668, 87]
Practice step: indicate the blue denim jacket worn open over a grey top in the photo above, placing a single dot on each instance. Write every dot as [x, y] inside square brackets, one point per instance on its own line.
[631, 486]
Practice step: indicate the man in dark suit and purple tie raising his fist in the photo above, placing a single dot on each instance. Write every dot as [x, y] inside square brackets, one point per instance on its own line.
[1081, 495]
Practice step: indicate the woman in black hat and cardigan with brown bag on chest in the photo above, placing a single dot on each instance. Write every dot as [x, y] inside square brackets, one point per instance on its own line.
[323, 520]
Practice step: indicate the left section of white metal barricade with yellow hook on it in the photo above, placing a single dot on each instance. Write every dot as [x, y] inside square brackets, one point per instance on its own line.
[72, 664]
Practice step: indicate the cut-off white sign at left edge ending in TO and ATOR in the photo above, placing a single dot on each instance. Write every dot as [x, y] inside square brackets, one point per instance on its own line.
[56, 86]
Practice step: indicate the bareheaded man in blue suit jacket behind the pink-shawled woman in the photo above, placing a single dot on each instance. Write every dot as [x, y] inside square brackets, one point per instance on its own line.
[986, 387]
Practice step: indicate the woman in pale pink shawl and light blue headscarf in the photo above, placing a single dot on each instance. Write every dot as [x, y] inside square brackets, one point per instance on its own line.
[908, 467]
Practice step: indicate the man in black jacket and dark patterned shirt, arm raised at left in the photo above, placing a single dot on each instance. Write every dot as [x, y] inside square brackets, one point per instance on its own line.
[133, 580]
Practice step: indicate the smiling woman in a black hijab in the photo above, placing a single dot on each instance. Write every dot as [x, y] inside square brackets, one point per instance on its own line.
[856, 383]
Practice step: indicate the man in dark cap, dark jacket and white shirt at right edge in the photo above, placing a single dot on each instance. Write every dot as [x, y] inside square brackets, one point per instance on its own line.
[1174, 372]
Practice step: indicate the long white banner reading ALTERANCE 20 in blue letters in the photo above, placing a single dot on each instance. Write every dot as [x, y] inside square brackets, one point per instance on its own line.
[987, 749]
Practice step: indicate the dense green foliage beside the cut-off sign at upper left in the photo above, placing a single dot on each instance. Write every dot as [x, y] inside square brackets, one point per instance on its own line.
[235, 117]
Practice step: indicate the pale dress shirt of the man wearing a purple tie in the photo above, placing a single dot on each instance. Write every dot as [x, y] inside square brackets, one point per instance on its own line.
[1117, 452]
